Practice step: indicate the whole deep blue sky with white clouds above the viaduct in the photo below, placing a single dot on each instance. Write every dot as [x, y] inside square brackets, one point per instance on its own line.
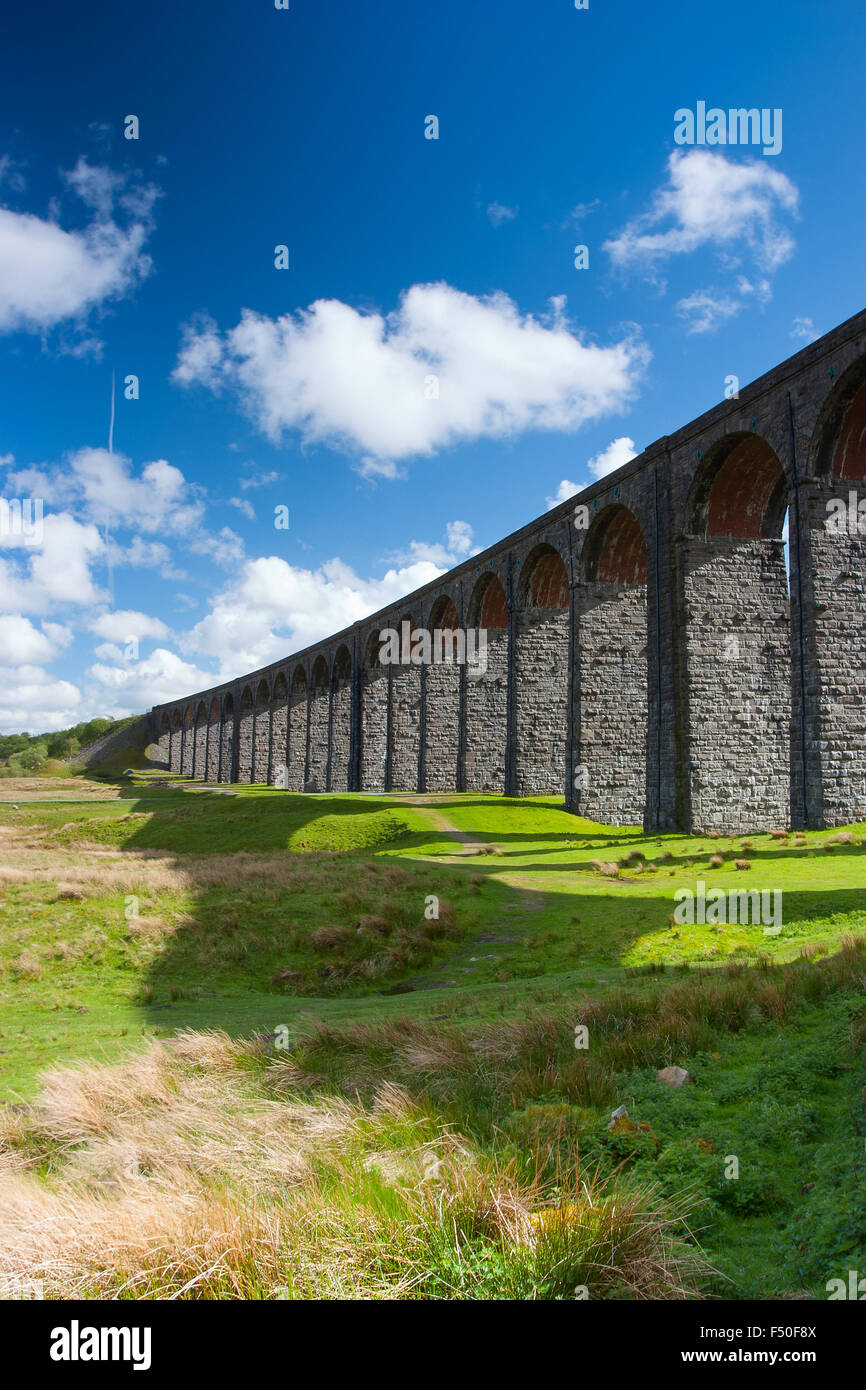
[409, 258]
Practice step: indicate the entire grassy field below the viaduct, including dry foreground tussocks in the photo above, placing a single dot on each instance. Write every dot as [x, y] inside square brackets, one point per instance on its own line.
[382, 995]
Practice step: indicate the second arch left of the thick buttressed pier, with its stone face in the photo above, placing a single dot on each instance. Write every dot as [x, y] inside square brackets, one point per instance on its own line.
[540, 696]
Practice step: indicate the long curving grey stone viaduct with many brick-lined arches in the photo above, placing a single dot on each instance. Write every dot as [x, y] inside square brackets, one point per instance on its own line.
[647, 654]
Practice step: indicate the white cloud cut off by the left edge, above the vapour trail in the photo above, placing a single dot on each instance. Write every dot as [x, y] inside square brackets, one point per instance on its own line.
[49, 275]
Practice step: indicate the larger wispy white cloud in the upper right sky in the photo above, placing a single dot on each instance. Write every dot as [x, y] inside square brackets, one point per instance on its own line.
[711, 201]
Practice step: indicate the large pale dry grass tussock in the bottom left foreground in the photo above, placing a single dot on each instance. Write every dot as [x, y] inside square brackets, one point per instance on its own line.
[195, 1171]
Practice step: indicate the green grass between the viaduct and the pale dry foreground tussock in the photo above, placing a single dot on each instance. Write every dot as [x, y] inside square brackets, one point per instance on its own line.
[259, 911]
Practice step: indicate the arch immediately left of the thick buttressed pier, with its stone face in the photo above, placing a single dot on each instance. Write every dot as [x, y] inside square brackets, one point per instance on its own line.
[610, 762]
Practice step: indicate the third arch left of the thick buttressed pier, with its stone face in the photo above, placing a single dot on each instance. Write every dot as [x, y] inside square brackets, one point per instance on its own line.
[487, 692]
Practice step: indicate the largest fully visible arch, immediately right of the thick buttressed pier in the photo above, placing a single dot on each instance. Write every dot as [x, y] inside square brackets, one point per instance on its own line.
[737, 669]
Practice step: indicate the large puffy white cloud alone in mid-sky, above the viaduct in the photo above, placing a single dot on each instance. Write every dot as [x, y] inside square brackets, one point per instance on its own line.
[361, 380]
